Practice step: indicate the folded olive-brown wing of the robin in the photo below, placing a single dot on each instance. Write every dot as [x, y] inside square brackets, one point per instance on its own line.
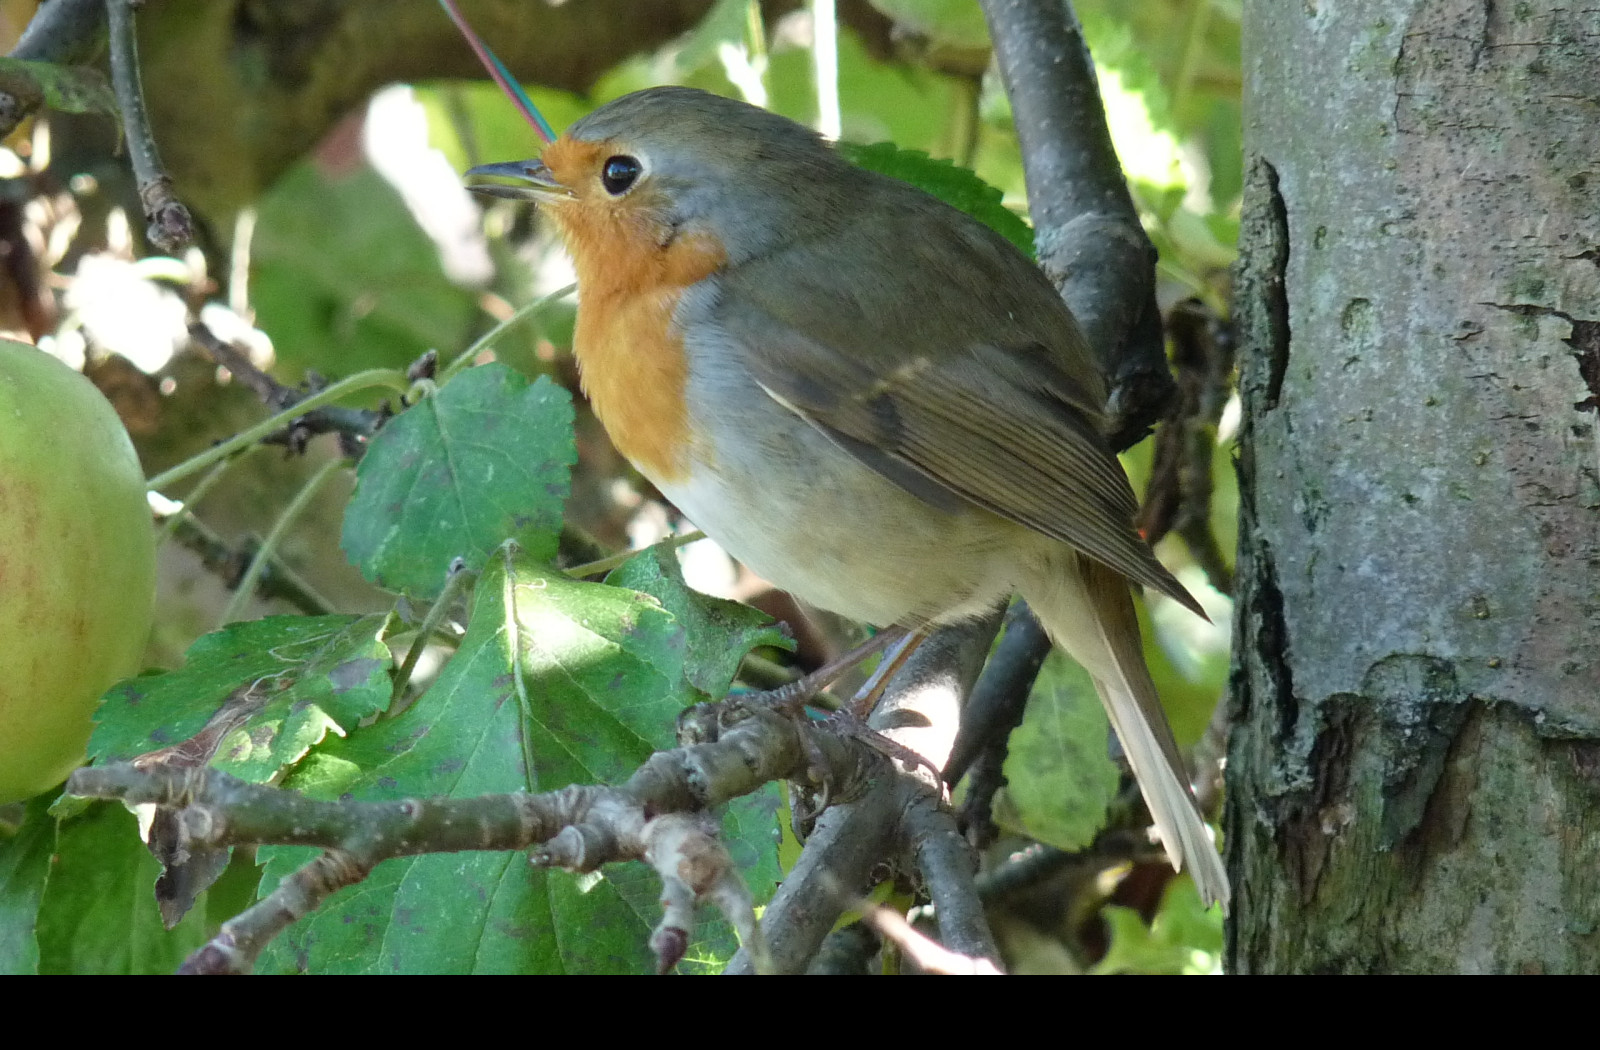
[938, 356]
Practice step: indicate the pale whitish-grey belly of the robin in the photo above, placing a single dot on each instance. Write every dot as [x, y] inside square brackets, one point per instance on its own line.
[817, 523]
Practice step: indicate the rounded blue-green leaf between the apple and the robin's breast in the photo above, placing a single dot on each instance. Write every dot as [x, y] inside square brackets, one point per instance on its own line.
[487, 459]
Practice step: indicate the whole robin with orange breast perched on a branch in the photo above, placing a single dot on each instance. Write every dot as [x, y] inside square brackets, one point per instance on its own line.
[866, 396]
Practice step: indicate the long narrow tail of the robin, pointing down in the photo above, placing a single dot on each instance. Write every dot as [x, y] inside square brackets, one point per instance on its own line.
[1089, 612]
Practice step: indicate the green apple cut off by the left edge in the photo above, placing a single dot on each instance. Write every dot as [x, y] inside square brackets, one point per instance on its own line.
[78, 566]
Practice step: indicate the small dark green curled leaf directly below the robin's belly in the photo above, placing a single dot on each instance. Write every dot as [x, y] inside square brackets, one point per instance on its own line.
[719, 633]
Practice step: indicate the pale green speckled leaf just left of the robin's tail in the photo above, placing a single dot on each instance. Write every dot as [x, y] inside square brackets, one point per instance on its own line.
[1060, 777]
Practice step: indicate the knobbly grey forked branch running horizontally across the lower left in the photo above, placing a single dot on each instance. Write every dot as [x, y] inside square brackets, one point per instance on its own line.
[654, 817]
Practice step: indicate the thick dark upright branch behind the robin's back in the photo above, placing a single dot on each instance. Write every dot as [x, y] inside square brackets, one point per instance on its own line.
[1087, 228]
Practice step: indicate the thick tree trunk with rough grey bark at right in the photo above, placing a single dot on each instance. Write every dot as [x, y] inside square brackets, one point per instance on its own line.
[1415, 771]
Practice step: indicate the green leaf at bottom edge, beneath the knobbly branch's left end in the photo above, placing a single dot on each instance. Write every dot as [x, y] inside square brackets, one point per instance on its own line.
[98, 913]
